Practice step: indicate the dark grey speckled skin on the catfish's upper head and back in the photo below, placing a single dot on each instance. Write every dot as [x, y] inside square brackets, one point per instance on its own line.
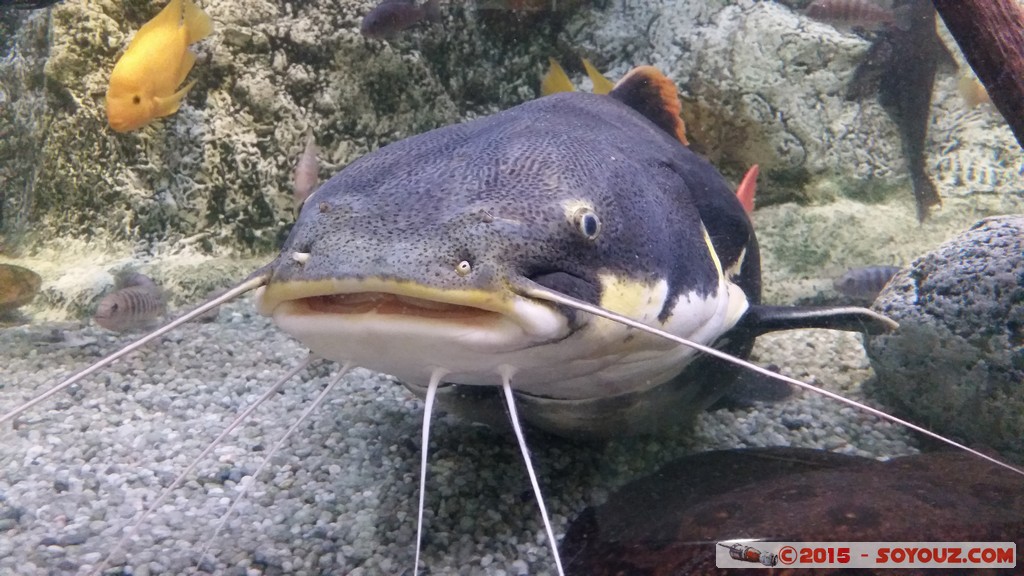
[489, 192]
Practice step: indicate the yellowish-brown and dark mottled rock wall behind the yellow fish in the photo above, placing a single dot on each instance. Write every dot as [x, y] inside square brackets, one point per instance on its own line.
[219, 172]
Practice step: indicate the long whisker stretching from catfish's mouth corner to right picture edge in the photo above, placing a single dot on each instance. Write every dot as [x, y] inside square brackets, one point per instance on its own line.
[540, 293]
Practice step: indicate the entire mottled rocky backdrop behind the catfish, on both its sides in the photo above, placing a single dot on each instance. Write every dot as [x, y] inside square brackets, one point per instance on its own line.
[202, 196]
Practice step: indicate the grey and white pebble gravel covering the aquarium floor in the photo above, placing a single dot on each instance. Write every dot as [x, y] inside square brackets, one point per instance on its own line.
[340, 497]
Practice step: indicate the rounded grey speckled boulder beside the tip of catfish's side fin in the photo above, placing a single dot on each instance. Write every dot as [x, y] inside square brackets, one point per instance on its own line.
[957, 363]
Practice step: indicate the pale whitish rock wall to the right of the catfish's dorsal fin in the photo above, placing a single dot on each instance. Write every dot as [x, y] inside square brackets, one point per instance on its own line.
[763, 85]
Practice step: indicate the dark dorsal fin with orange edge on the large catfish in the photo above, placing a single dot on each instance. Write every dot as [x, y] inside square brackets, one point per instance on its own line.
[653, 95]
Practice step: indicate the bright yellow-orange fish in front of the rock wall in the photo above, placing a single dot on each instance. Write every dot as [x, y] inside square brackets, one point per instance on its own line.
[145, 83]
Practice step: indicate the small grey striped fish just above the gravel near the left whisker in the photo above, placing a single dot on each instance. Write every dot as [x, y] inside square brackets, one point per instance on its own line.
[137, 305]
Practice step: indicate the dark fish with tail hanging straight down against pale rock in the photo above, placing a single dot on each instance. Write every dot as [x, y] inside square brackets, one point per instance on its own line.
[902, 66]
